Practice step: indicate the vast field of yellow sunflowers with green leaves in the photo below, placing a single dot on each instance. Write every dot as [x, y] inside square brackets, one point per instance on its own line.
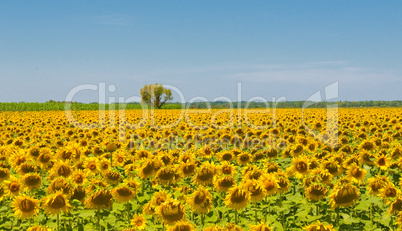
[248, 169]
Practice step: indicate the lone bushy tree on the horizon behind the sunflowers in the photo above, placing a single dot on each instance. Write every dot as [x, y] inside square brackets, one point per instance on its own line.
[152, 95]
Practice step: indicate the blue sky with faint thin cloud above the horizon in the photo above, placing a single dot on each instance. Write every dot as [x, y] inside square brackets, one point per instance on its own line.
[288, 49]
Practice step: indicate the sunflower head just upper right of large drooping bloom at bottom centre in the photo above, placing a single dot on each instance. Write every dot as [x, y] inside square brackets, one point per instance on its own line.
[200, 201]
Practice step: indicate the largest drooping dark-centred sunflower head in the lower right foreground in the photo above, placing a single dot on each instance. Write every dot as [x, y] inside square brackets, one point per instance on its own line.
[344, 195]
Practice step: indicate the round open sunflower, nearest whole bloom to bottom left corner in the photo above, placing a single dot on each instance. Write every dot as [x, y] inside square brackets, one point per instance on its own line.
[25, 207]
